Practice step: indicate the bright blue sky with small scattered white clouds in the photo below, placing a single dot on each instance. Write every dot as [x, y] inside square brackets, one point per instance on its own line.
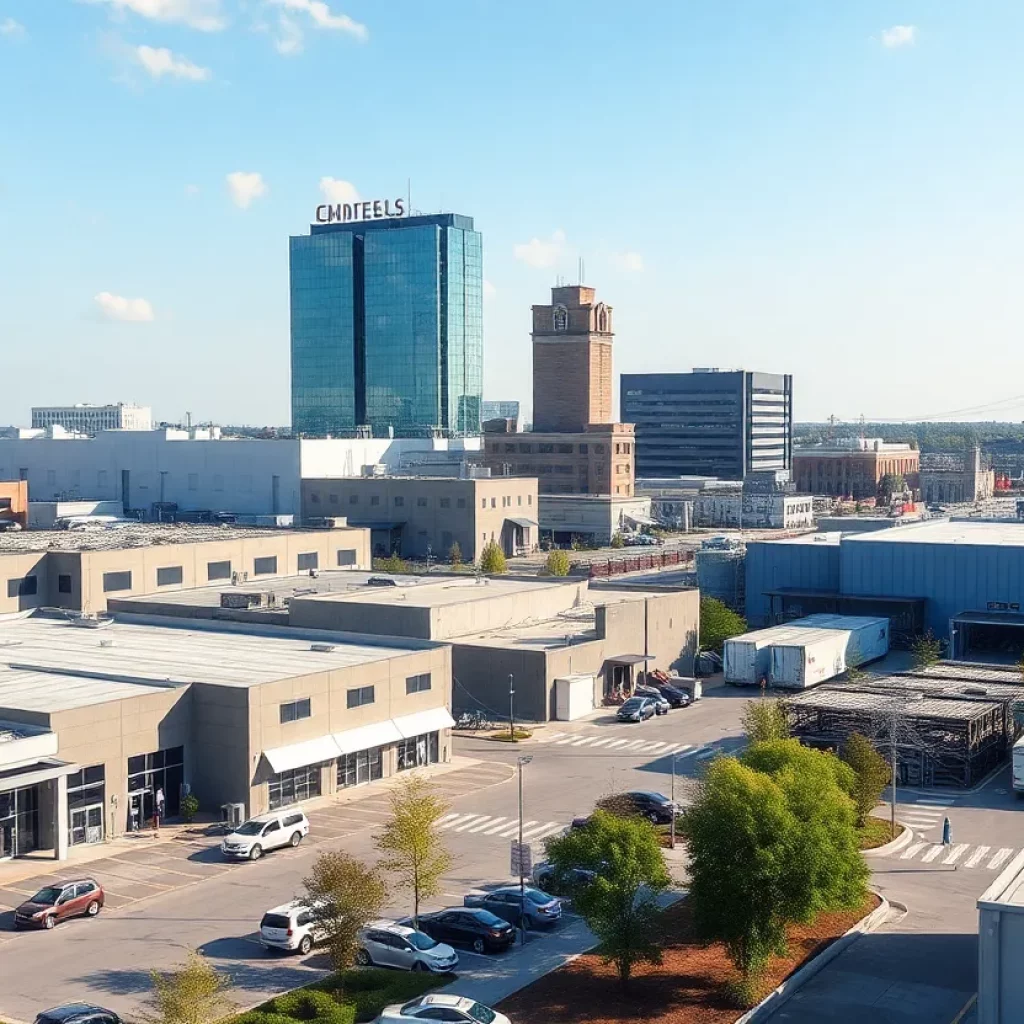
[824, 188]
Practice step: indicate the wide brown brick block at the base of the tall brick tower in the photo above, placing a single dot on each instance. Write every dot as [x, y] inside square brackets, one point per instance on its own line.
[596, 461]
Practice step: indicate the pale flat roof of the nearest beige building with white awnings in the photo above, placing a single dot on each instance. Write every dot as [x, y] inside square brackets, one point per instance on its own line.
[50, 665]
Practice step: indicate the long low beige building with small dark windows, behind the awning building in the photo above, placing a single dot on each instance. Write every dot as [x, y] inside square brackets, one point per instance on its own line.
[81, 572]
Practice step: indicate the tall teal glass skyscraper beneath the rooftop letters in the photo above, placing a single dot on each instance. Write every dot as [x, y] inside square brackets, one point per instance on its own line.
[388, 327]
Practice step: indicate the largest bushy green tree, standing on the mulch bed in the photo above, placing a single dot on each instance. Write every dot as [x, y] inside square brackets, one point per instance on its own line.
[770, 849]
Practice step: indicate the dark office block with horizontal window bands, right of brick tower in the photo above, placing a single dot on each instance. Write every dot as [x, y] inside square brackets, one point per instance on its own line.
[710, 423]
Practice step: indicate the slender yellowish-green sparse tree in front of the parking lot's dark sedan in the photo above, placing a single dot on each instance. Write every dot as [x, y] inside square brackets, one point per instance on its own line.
[413, 845]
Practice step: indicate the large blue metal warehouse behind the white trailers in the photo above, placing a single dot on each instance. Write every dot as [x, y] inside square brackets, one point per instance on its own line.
[963, 581]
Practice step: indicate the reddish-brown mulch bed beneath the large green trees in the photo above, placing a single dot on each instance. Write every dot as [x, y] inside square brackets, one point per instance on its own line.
[688, 989]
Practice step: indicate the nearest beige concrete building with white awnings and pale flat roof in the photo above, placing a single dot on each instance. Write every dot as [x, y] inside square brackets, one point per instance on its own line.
[94, 724]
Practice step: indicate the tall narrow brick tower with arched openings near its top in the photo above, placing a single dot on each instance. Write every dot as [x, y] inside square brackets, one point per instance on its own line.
[572, 361]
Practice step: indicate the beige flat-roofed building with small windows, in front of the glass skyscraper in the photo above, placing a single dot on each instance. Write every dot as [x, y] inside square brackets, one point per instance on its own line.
[412, 516]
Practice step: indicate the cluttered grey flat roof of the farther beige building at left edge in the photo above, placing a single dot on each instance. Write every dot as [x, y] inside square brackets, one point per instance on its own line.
[127, 535]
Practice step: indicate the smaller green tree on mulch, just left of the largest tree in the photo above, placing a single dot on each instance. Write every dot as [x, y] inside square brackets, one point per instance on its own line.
[621, 907]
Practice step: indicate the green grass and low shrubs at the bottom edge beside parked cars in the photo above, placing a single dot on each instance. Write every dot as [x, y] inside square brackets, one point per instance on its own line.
[343, 999]
